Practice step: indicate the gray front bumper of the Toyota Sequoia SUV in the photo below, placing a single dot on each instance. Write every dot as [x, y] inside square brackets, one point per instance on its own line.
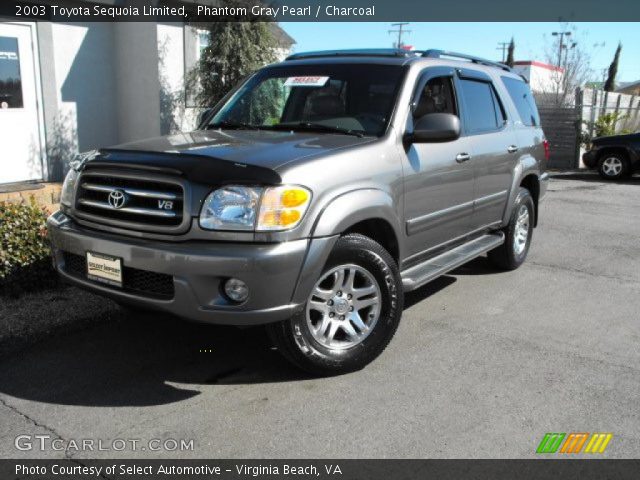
[278, 275]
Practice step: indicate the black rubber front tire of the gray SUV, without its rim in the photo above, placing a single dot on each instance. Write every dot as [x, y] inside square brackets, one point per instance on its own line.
[294, 339]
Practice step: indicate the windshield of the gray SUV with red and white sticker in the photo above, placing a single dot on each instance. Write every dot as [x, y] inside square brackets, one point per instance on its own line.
[340, 98]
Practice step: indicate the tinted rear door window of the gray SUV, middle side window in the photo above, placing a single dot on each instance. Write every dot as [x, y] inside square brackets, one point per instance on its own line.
[484, 112]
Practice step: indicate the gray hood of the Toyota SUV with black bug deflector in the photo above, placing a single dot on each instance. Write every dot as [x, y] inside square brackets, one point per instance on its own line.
[253, 155]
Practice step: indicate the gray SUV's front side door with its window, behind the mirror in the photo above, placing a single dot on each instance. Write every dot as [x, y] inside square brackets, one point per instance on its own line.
[439, 179]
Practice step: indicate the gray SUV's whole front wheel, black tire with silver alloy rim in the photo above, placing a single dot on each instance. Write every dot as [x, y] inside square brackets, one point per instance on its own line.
[351, 314]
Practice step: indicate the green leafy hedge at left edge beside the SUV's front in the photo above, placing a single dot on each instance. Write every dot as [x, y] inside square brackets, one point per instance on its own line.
[25, 256]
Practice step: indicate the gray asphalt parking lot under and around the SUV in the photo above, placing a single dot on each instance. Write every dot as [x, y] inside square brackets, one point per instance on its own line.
[483, 365]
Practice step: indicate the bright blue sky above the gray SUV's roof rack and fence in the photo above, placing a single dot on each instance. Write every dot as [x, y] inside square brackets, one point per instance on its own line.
[480, 39]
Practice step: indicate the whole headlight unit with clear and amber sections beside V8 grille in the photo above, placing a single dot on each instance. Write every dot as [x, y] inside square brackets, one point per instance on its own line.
[236, 208]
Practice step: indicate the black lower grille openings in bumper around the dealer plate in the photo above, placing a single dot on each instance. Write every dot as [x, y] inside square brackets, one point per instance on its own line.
[144, 282]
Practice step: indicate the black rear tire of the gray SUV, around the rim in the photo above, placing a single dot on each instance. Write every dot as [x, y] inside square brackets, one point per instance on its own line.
[507, 256]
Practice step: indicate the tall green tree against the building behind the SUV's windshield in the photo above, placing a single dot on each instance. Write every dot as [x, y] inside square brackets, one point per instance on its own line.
[236, 49]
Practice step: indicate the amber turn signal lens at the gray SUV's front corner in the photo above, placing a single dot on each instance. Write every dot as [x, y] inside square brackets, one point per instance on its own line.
[282, 207]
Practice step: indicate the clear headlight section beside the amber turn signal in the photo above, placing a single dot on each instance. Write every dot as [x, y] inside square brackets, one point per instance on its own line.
[230, 208]
